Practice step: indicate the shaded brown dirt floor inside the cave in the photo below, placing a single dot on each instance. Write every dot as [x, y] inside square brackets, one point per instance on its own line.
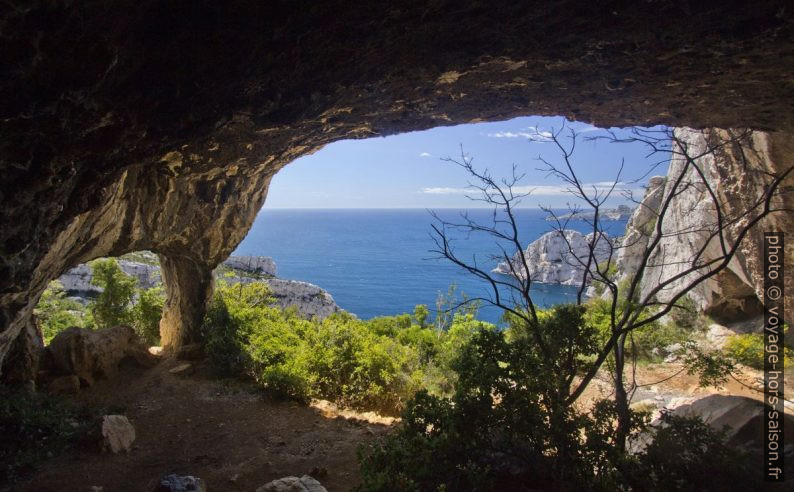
[222, 431]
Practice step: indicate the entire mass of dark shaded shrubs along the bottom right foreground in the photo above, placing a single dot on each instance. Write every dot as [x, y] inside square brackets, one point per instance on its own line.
[502, 430]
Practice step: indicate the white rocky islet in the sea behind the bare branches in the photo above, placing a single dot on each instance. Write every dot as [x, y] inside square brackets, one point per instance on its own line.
[558, 257]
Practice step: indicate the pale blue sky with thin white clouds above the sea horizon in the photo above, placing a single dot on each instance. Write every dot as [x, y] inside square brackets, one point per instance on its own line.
[407, 170]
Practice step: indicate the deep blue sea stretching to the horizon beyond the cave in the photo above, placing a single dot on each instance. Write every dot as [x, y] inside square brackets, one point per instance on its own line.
[377, 262]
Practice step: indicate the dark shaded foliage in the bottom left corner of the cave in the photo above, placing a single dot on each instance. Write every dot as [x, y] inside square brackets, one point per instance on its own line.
[34, 427]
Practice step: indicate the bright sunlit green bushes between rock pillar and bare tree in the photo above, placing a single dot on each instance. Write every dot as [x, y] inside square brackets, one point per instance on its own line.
[374, 365]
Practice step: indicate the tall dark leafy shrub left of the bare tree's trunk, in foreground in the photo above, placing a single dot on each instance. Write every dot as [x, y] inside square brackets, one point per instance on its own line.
[502, 428]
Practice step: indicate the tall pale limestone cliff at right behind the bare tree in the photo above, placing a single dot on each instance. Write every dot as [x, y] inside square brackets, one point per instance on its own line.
[738, 177]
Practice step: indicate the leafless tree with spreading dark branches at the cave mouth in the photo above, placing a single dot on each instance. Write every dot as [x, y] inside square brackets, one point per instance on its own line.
[636, 300]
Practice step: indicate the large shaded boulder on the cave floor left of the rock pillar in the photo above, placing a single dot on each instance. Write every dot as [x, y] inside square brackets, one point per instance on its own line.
[95, 354]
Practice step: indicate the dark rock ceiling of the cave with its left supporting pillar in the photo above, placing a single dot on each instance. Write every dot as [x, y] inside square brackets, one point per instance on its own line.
[153, 126]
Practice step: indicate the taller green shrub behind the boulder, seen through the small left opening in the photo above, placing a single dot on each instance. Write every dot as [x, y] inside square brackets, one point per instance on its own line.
[113, 306]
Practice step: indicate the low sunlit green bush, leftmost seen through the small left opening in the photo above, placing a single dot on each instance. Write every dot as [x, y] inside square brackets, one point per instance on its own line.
[55, 312]
